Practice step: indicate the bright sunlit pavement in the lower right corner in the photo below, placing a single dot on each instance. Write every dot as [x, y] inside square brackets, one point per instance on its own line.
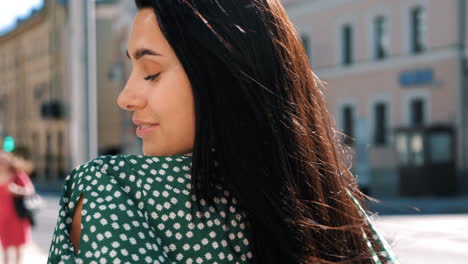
[427, 239]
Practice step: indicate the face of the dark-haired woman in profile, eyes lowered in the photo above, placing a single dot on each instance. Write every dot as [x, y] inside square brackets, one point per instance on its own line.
[158, 91]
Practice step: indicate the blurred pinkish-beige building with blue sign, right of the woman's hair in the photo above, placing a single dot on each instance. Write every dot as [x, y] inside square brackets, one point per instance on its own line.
[395, 73]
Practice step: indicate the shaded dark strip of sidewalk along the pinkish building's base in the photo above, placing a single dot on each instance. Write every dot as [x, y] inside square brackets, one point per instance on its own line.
[420, 205]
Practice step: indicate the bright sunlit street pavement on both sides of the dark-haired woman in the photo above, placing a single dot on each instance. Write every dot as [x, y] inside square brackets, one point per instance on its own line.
[415, 239]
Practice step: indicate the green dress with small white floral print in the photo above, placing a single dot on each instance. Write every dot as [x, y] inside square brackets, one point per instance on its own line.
[139, 209]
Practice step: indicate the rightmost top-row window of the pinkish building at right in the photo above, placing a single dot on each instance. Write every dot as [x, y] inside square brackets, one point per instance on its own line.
[418, 29]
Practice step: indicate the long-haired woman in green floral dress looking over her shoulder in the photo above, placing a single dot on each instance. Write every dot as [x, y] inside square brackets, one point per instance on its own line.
[241, 161]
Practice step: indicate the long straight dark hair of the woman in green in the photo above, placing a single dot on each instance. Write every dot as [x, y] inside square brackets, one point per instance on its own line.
[263, 131]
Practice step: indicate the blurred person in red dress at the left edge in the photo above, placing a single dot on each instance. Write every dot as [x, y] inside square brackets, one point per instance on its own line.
[15, 231]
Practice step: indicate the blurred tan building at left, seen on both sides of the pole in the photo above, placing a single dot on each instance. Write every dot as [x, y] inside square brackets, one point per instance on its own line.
[35, 93]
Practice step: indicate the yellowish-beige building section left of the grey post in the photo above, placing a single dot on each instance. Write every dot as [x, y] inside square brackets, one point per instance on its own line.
[33, 97]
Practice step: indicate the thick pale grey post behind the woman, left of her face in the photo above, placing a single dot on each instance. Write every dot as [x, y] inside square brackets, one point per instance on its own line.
[83, 134]
